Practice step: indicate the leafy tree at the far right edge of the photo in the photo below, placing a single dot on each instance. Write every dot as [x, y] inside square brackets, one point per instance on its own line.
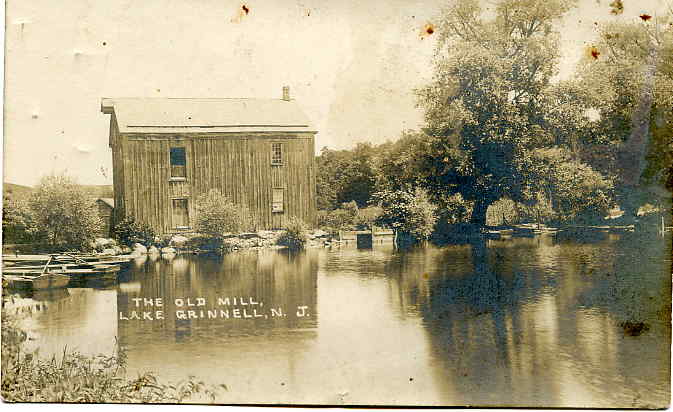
[630, 83]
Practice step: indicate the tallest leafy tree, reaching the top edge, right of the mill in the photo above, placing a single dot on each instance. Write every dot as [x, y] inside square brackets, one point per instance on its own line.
[488, 102]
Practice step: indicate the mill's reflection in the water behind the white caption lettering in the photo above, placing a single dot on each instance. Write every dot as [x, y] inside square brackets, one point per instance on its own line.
[277, 280]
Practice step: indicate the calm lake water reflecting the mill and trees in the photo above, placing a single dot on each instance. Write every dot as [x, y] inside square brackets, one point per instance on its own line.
[526, 322]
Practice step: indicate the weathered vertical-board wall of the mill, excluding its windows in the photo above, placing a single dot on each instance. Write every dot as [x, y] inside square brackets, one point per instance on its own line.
[238, 165]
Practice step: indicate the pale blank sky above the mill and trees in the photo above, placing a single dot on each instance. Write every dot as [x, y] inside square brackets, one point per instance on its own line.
[353, 66]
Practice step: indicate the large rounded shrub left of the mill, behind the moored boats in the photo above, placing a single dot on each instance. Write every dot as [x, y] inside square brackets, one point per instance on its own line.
[62, 215]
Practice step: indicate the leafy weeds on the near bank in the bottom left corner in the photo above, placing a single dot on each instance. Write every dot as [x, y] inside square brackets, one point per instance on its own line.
[84, 379]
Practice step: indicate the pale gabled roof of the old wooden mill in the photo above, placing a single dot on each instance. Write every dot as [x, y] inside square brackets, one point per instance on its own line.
[184, 115]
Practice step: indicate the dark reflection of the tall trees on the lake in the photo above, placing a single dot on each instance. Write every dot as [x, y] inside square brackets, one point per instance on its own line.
[529, 321]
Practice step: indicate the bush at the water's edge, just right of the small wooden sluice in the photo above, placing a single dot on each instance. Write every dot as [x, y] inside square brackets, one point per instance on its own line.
[409, 212]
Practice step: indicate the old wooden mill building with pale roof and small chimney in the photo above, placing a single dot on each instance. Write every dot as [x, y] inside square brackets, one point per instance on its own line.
[166, 152]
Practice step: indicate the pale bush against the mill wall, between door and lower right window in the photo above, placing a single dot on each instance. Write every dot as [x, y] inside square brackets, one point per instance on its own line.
[216, 215]
